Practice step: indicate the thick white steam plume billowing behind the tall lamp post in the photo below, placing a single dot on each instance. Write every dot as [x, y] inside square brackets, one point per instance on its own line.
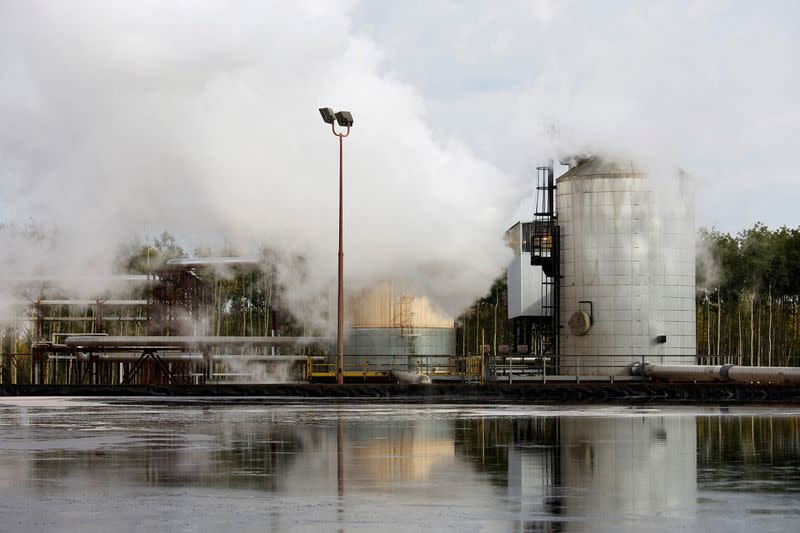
[124, 119]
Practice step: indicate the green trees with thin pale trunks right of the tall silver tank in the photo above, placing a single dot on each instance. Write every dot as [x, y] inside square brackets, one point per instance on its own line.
[748, 291]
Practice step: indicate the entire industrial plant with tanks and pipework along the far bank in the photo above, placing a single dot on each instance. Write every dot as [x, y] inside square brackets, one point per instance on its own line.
[600, 292]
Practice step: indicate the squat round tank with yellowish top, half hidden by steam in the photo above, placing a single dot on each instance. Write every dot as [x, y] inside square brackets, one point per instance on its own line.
[390, 320]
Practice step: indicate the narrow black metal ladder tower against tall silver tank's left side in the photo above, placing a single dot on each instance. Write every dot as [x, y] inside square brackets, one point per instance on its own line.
[545, 252]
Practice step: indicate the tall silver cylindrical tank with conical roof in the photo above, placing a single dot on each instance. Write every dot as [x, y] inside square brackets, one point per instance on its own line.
[627, 266]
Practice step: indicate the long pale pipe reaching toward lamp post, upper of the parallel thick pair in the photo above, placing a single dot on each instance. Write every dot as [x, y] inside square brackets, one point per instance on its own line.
[152, 342]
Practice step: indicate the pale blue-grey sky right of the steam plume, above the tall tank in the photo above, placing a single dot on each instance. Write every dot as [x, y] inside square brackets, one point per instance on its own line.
[703, 85]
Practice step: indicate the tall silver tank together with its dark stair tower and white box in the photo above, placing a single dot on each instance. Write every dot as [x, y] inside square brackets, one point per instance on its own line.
[603, 275]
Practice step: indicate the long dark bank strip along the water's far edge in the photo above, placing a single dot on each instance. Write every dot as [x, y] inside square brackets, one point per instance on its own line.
[603, 393]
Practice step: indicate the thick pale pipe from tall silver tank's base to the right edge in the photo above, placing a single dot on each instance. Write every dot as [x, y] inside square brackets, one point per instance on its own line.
[707, 373]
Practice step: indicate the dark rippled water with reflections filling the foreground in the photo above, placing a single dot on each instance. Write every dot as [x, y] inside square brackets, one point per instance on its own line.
[109, 465]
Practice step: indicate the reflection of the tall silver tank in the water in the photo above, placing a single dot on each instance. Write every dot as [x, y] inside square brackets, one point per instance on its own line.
[637, 466]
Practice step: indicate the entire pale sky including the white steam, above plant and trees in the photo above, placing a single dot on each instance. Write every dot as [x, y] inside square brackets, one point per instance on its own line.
[124, 119]
